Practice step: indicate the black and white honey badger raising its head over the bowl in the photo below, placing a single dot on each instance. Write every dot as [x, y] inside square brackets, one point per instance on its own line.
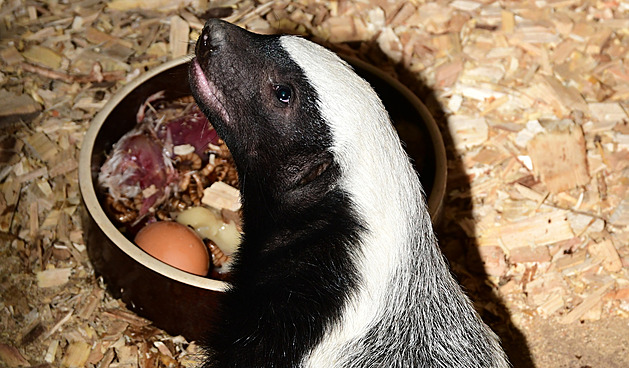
[338, 265]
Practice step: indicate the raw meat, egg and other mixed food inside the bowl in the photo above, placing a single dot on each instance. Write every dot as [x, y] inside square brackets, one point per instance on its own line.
[173, 167]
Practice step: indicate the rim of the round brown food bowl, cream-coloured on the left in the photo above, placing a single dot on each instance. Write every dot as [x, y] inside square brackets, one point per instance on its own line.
[96, 212]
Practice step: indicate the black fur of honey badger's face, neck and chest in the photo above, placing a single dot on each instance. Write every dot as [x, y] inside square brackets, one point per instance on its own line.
[290, 282]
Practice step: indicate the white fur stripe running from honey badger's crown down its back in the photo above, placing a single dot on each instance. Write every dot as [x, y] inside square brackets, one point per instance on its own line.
[381, 183]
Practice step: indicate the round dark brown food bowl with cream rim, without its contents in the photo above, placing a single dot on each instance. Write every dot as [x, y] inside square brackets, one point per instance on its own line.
[176, 301]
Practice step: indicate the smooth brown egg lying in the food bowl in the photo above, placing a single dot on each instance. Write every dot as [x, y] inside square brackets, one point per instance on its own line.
[176, 245]
